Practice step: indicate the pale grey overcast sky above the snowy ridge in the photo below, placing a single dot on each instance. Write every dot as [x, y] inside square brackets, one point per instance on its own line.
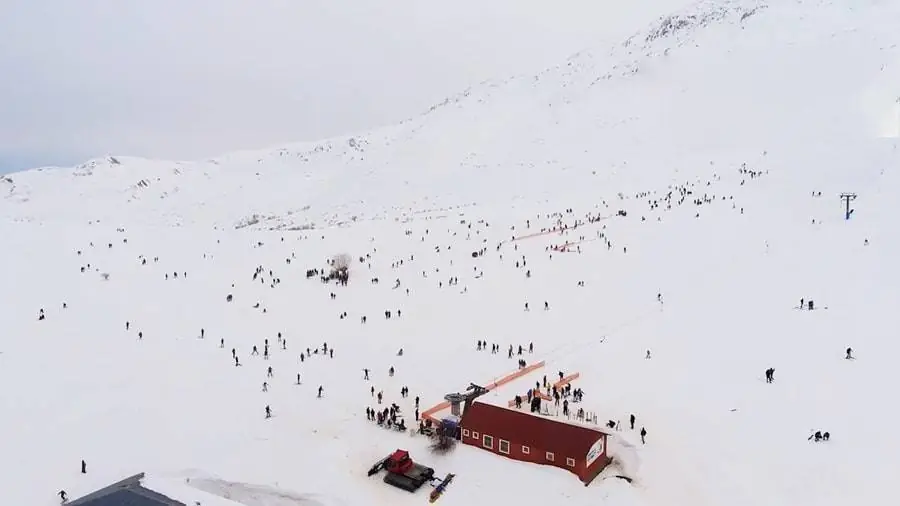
[196, 78]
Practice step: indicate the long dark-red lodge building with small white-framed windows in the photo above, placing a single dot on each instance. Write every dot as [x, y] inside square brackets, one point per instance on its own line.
[533, 438]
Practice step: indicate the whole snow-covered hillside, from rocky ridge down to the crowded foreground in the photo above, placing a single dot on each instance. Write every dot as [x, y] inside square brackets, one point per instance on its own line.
[725, 133]
